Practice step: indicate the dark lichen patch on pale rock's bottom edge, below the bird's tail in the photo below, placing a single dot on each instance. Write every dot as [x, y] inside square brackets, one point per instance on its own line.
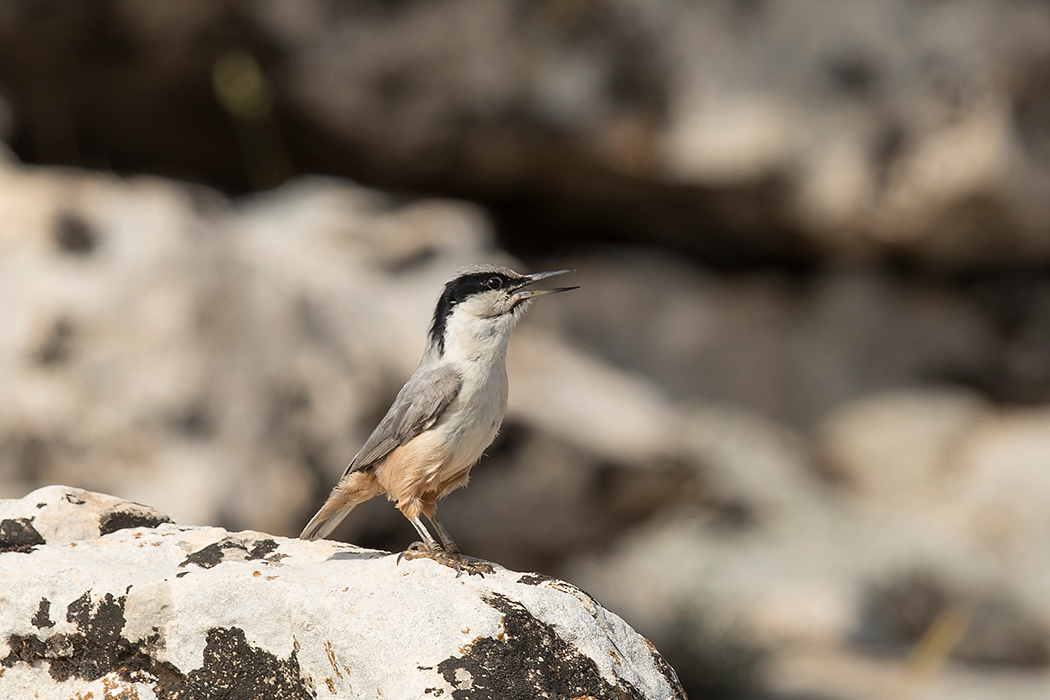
[234, 669]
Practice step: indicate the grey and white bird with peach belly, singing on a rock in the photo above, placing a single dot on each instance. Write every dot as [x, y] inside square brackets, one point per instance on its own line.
[447, 414]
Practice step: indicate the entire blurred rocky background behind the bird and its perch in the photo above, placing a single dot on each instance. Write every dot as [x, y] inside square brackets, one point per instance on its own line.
[795, 428]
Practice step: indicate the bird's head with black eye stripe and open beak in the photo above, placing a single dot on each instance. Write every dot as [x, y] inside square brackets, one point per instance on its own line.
[486, 300]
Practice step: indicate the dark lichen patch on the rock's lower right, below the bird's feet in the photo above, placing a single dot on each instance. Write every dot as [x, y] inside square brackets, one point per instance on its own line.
[530, 662]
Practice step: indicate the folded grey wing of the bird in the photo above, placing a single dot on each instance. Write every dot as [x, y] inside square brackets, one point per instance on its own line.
[417, 409]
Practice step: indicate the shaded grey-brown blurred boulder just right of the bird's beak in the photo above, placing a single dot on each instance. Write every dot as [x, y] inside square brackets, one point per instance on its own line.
[792, 349]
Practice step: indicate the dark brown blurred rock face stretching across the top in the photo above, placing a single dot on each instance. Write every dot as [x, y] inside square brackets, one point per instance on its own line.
[733, 129]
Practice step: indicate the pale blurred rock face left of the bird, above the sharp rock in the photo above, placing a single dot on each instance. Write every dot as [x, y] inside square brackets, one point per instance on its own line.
[183, 353]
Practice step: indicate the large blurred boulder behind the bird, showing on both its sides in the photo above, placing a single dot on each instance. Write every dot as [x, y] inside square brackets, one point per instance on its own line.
[226, 362]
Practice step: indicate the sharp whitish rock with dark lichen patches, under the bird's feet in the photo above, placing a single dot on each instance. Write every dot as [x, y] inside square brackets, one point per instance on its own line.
[155, 610]
